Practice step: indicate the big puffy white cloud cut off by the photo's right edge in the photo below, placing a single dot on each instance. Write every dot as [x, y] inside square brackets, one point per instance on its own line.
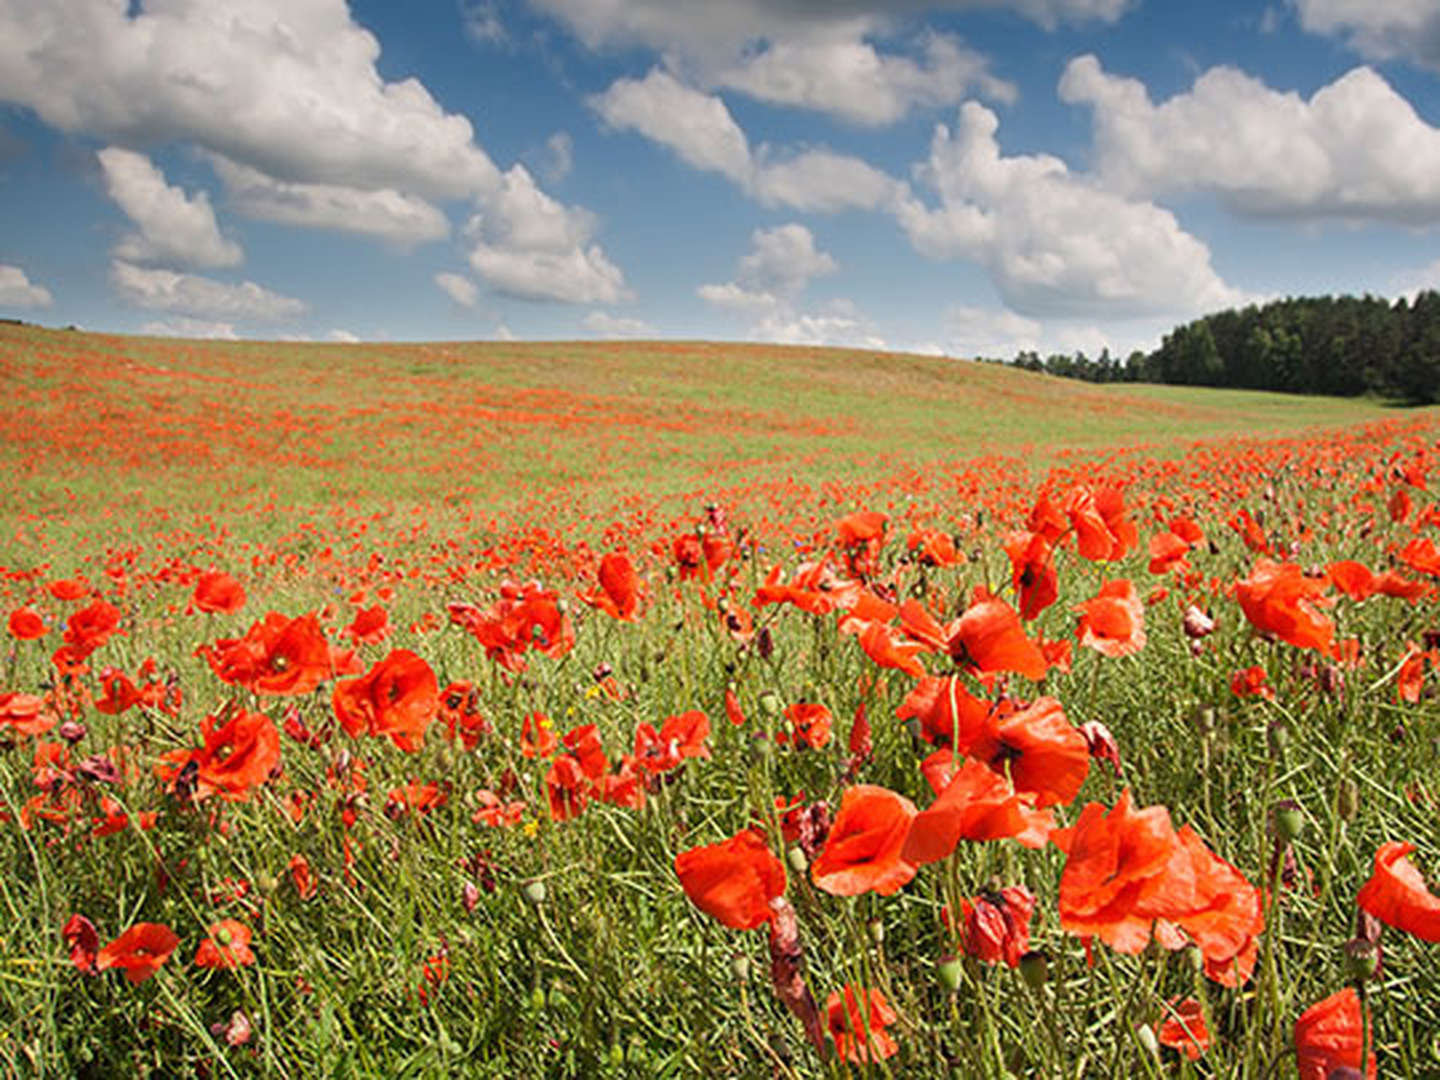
[1354, 150]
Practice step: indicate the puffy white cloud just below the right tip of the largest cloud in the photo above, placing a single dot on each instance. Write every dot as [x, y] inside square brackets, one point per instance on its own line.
[531, 247]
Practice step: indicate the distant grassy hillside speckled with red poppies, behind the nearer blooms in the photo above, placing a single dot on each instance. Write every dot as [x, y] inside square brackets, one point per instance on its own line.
[123, 417]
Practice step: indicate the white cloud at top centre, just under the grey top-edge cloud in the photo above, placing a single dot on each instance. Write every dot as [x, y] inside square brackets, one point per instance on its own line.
[845, 76]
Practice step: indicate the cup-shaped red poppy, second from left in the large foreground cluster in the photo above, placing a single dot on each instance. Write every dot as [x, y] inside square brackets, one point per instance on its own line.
[862, 853]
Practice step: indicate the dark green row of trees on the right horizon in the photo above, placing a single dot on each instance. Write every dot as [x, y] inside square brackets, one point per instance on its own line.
[1343, 346]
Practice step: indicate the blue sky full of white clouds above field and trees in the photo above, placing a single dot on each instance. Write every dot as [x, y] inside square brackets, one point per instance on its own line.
[970, 178]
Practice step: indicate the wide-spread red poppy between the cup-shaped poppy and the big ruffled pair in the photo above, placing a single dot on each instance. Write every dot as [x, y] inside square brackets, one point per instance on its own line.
[977, 804]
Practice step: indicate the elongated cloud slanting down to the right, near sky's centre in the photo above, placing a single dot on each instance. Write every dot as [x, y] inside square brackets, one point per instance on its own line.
[701, 130]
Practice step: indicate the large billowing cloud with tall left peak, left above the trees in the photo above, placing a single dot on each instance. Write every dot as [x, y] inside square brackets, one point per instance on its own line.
[1053, 243]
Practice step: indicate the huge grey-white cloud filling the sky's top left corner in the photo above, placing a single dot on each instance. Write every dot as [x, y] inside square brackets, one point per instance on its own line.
[287, 87]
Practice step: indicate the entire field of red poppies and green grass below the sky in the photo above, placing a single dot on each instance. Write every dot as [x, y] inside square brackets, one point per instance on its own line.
[690, 709]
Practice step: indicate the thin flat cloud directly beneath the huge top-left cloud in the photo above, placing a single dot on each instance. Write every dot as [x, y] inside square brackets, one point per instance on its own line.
[385, 214]
